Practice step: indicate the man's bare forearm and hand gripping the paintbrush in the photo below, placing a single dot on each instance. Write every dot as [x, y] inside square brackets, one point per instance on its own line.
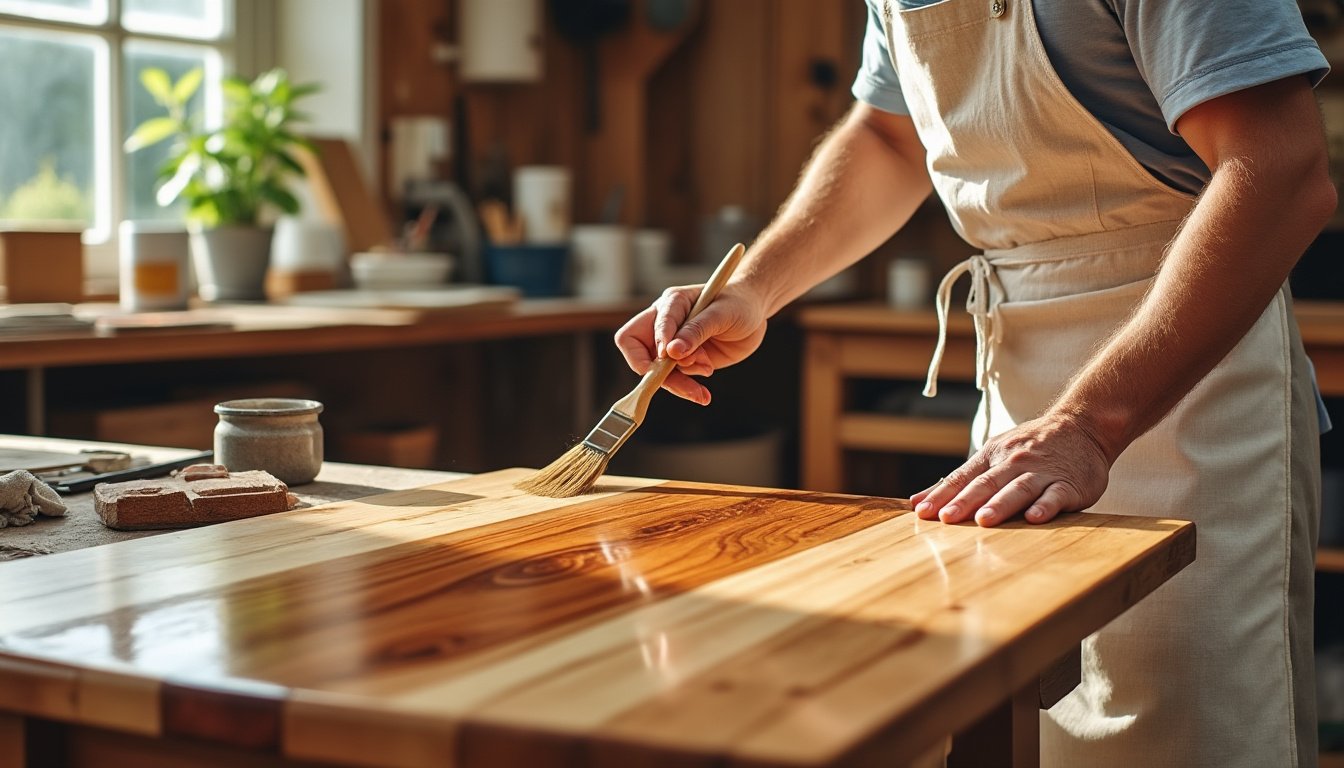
[864, 184]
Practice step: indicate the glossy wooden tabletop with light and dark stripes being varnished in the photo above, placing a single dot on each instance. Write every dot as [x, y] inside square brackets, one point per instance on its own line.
[468, 623]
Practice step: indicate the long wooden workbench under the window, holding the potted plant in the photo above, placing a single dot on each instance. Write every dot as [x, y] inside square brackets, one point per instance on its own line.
[264, 334]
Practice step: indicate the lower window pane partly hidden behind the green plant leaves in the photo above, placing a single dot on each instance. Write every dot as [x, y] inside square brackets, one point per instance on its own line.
[142, 167]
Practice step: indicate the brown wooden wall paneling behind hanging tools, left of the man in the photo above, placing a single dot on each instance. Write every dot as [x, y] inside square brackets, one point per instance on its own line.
[721, 112]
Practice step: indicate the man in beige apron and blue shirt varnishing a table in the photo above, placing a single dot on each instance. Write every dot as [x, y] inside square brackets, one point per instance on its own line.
[1139, 178]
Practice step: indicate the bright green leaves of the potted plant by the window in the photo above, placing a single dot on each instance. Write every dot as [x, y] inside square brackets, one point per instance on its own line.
[233, 173]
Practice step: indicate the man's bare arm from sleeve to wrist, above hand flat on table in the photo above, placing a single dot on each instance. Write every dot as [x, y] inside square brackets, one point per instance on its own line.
[1255, 220]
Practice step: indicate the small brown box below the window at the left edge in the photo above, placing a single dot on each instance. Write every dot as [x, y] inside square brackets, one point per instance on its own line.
[42, 266]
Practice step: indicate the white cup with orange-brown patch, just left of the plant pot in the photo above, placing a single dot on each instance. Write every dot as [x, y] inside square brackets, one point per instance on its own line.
[154, 267]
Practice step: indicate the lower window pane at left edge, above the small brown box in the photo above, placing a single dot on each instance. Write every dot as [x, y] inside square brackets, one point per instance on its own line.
[48, 138]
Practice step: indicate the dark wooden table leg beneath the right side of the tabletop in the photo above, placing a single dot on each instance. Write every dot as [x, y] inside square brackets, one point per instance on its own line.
[1007, 738]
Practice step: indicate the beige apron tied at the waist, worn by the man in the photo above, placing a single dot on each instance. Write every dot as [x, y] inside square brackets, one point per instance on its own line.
[1214, 668]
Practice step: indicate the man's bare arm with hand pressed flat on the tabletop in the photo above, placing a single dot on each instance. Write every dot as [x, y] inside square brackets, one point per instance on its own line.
[1268, 198]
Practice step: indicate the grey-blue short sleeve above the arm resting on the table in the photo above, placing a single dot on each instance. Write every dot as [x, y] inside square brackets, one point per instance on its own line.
[1191, 52]
